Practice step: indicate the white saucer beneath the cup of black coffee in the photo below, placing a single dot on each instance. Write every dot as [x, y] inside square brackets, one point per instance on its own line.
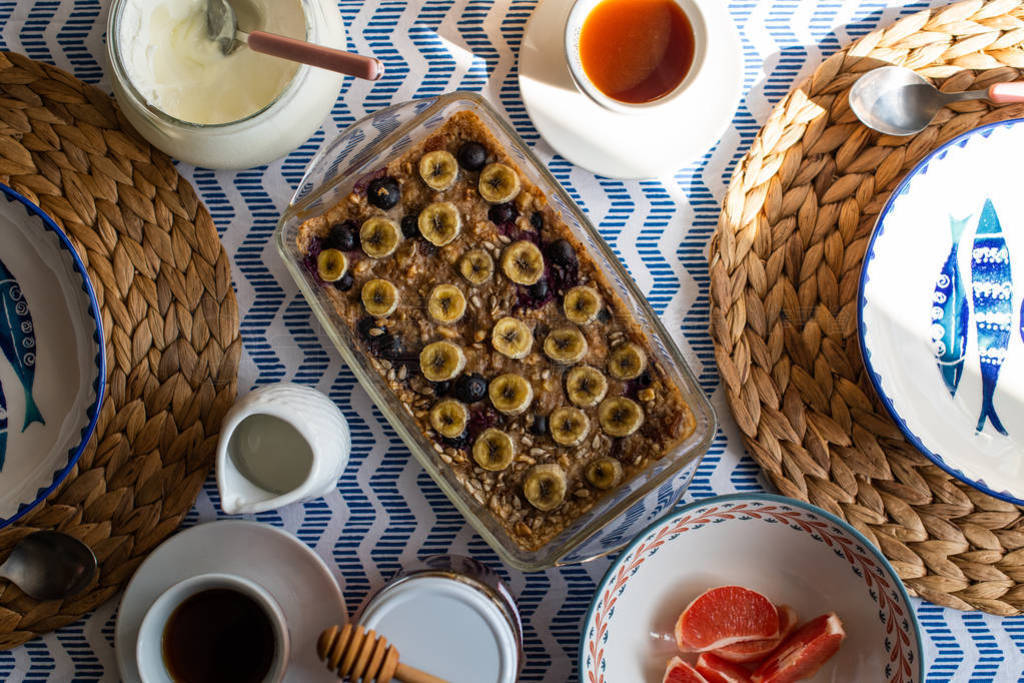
[295, 576]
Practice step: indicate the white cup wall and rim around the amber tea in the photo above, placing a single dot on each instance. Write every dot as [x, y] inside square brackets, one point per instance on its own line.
[574, 27]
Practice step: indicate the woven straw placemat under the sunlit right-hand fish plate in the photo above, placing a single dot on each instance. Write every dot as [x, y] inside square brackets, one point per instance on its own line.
[785, 269]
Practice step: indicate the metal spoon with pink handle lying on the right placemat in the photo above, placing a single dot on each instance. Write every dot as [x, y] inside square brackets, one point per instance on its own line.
[895, 101]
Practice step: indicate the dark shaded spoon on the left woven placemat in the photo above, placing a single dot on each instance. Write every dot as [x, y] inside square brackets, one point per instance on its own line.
[51, 566]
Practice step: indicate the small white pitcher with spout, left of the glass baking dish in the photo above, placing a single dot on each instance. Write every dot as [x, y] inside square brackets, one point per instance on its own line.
[280, 445]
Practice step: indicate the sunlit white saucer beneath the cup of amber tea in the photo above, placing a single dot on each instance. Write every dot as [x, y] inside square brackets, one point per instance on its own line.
[624, 146]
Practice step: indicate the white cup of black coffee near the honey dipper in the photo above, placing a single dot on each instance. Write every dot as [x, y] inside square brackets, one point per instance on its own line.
[212, 629]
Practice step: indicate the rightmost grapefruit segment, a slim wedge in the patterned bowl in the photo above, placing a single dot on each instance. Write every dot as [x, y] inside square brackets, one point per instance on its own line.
[802, 655]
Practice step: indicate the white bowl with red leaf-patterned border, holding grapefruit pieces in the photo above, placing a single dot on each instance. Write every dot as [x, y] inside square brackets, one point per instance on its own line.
[792, 552]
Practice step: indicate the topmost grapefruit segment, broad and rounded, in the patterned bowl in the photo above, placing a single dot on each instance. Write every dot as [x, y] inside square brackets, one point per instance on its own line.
[726, 616]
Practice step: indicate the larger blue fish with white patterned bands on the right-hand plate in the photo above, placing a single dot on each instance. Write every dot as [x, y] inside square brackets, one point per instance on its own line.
[994, 290]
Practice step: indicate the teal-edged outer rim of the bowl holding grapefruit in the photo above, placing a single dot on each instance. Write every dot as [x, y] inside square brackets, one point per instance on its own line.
[754, 498]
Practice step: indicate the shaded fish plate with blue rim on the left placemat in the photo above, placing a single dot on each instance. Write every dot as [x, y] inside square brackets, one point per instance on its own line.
[53, 367]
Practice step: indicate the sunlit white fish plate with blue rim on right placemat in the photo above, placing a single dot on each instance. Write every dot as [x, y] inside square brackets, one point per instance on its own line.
[941, 309]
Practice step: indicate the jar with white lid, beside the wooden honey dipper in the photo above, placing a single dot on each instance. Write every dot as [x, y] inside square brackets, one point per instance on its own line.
[451, 617]
